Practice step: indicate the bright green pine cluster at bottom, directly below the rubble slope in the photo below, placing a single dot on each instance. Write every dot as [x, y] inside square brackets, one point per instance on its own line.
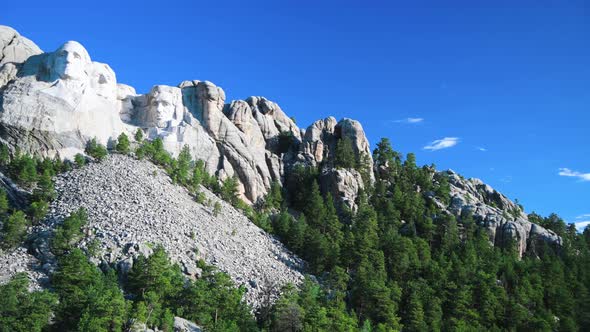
[161, 292]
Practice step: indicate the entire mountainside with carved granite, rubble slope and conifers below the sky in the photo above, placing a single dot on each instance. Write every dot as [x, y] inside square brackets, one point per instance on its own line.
[130, 211]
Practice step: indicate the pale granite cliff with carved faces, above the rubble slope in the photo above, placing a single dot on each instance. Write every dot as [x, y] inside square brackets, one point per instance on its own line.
[52, 103]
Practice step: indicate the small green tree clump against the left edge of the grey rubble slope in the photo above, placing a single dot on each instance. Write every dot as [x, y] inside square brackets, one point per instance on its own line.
[69, 232]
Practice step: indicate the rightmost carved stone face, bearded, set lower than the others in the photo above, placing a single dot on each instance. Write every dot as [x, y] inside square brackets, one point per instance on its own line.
[165, 106]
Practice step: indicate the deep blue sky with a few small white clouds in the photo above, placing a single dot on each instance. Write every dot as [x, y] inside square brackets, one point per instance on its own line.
[498, 91]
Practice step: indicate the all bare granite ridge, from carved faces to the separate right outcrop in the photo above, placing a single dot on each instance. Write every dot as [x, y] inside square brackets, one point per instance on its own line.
[252, 139]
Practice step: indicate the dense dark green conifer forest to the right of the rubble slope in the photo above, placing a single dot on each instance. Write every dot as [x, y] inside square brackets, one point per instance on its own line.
[401, 263]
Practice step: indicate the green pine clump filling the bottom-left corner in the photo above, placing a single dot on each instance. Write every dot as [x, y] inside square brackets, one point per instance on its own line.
[21, 310]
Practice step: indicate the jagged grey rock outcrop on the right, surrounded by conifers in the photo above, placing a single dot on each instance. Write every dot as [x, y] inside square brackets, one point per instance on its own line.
[504, 220]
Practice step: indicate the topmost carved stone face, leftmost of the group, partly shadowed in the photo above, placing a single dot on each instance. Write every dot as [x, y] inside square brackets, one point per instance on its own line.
[70, 61]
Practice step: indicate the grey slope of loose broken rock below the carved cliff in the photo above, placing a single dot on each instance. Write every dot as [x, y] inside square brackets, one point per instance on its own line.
[133, 205]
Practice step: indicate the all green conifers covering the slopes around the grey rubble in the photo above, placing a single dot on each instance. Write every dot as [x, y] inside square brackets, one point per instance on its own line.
[396, 263]
